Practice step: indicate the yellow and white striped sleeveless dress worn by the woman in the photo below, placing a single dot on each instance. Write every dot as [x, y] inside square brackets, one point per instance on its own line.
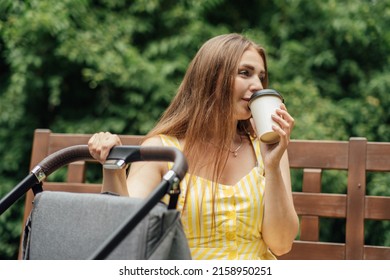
[237, 217]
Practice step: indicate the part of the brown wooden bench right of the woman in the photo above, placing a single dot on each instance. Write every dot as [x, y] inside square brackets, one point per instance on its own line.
[357, 157]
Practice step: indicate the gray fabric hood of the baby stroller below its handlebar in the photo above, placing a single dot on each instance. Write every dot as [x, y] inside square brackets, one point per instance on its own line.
[72, 226]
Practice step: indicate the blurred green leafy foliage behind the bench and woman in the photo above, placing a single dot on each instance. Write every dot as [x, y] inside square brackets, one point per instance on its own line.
[82, 66]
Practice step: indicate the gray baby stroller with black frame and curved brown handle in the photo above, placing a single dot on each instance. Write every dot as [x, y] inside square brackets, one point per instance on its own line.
[66, 225]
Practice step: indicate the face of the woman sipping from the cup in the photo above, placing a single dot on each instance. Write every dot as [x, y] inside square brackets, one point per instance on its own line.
[248, 80]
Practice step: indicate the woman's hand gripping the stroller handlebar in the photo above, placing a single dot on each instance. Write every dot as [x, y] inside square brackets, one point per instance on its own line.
[101, 143]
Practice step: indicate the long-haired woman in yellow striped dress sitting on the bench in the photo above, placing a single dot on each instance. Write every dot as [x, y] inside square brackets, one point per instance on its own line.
[236, 200]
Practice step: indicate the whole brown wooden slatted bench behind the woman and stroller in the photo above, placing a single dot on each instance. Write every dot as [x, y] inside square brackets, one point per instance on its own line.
[356, 156]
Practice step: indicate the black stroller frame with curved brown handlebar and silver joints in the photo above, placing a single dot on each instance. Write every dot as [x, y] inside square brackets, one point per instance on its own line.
[118, 158]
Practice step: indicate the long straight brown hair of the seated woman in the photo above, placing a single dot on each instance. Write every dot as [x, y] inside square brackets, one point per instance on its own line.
[202, 110]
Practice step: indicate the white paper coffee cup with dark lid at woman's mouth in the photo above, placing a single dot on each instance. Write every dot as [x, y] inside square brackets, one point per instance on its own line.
[263, 104]
